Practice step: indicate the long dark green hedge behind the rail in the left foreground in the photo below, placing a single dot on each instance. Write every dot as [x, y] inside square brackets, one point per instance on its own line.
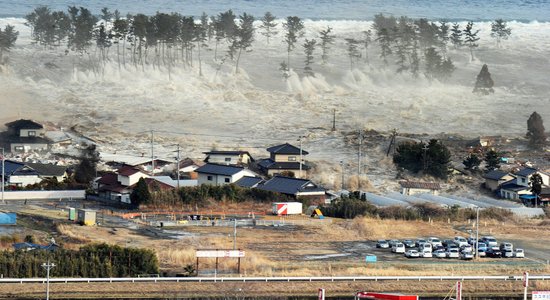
[96, 260]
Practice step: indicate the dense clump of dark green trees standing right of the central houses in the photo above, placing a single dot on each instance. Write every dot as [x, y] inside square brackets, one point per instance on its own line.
[432, 158]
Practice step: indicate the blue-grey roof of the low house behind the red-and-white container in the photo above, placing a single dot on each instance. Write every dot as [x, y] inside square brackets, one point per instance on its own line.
[290, 186]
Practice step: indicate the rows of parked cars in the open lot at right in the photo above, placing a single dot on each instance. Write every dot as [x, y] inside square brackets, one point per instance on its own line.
[458, 247]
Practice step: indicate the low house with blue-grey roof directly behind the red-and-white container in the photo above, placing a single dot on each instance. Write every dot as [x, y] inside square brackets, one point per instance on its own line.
[295, 187]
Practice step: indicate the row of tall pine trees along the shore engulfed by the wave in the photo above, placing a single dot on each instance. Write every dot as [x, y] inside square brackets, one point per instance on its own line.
[417, 46]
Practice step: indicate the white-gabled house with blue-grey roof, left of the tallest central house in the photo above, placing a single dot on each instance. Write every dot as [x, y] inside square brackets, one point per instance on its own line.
[216, 174]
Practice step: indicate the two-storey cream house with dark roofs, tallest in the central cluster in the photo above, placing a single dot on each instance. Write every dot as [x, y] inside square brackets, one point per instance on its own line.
[284, 159]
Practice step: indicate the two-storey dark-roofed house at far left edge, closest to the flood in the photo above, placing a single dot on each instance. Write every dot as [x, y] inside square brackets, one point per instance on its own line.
[24, 135]
